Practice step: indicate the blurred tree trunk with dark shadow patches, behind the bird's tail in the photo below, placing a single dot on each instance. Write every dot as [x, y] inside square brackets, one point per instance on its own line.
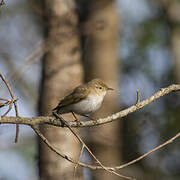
[62, 71]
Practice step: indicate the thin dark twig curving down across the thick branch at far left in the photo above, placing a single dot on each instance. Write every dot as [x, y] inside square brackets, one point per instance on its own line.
[14, 102]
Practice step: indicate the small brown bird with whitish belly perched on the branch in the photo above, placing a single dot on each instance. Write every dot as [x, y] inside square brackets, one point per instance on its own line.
[84, 99]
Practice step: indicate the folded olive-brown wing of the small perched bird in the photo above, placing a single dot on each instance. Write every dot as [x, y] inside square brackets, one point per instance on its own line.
[77, 95]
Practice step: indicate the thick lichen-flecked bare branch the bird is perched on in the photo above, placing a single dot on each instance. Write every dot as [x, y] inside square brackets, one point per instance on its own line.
[51, 120]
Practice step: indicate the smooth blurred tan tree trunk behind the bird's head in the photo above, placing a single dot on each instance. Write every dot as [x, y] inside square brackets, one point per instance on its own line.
[101, 62]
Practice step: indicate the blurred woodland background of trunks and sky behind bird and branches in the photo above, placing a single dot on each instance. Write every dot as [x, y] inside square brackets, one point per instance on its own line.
[49, 47]
